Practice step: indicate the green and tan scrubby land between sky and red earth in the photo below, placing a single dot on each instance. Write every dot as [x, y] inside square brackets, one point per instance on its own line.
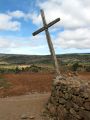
[24, 63]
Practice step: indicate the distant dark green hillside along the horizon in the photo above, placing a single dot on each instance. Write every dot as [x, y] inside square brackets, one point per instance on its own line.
[42, 59]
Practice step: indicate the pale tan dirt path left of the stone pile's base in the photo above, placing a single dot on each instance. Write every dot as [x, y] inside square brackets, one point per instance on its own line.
[16, 108]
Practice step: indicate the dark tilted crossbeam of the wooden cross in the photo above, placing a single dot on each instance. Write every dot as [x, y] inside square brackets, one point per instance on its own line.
[46, 26]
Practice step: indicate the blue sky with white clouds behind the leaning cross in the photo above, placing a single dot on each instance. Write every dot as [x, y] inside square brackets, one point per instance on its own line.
[20, 18]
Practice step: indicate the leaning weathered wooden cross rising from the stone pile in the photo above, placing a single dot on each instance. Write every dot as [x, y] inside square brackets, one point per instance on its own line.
[51, 48]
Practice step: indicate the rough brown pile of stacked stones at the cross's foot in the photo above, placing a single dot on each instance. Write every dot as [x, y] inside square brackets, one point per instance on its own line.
[69, 100]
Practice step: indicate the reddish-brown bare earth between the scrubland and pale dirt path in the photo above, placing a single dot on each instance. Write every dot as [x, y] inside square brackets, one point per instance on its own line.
[24, 83]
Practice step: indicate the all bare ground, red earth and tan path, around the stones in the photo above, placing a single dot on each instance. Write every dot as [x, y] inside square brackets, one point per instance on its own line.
[36, 86]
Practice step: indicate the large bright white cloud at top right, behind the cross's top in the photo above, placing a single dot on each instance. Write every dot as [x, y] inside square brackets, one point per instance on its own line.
[74, 14]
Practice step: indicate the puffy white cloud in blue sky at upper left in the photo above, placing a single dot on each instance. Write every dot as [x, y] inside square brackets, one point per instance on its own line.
[9, 21]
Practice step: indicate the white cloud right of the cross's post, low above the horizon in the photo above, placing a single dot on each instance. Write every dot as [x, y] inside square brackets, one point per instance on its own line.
[79, 38]
